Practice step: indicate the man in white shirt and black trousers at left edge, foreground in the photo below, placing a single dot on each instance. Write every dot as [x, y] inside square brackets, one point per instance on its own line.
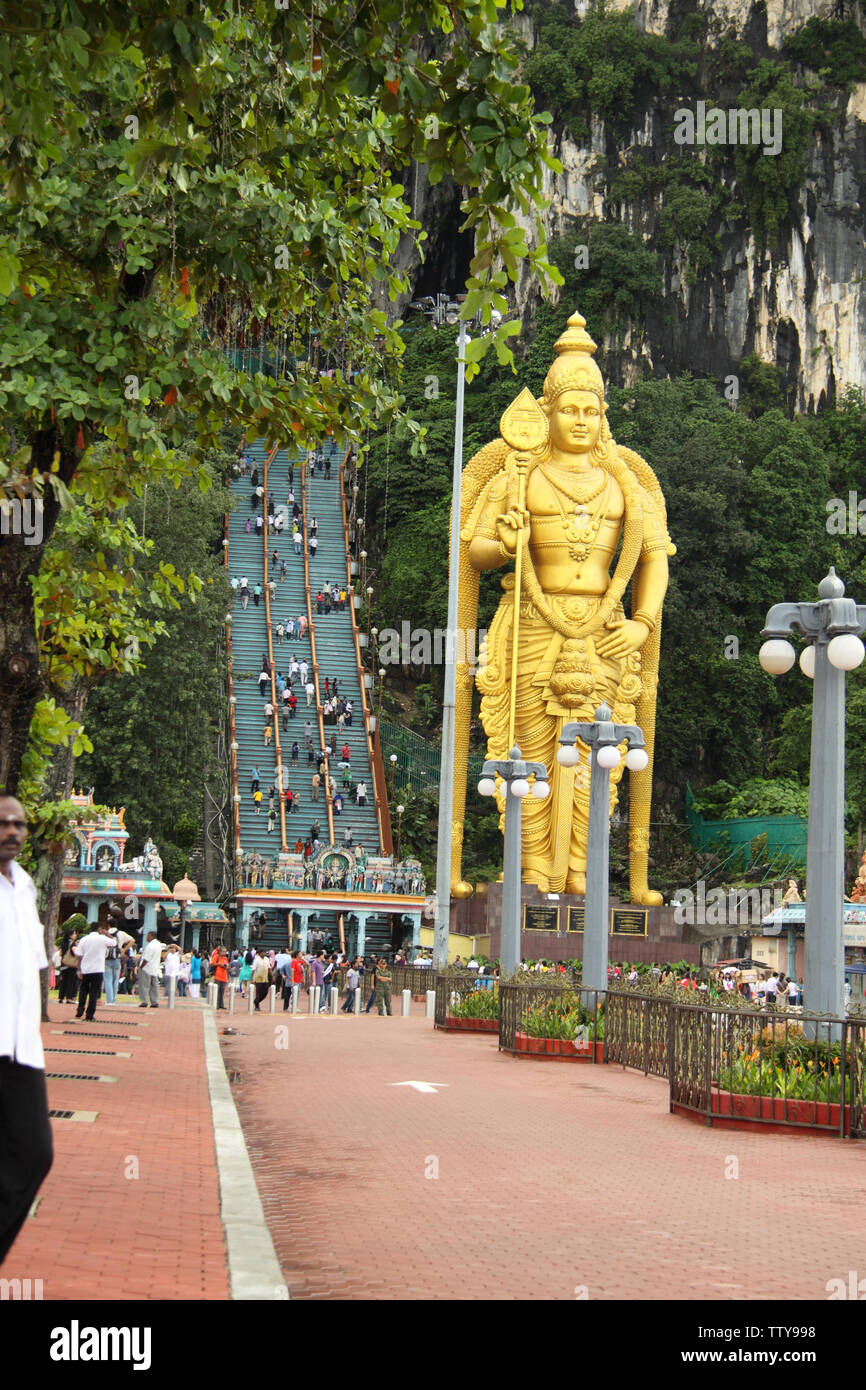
[26, 1131]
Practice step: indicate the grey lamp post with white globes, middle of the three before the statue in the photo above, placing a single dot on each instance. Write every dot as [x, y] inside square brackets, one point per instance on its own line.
[603, 739]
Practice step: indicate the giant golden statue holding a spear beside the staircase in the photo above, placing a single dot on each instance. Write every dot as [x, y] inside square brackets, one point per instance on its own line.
[558, 502]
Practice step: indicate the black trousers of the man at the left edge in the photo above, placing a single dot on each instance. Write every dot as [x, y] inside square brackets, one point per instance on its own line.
[26, 1145]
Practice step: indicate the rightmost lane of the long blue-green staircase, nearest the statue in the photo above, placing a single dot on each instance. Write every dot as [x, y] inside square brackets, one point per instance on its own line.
[336, 650]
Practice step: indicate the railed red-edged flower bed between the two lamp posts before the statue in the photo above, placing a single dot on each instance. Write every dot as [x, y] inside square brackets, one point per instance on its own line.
[544, 1020]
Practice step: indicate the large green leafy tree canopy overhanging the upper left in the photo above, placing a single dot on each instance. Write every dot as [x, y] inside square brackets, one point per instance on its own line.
[172, 172]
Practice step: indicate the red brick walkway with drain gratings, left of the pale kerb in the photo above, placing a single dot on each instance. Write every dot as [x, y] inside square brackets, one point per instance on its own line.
[98, 1234]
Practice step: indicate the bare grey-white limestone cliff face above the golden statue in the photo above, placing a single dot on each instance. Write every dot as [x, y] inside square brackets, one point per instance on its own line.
[799, 304]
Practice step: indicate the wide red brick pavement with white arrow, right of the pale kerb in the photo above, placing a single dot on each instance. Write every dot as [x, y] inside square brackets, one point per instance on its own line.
[553, 1179]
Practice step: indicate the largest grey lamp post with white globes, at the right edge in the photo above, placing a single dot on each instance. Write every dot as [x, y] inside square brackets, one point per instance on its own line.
[832, 628]
